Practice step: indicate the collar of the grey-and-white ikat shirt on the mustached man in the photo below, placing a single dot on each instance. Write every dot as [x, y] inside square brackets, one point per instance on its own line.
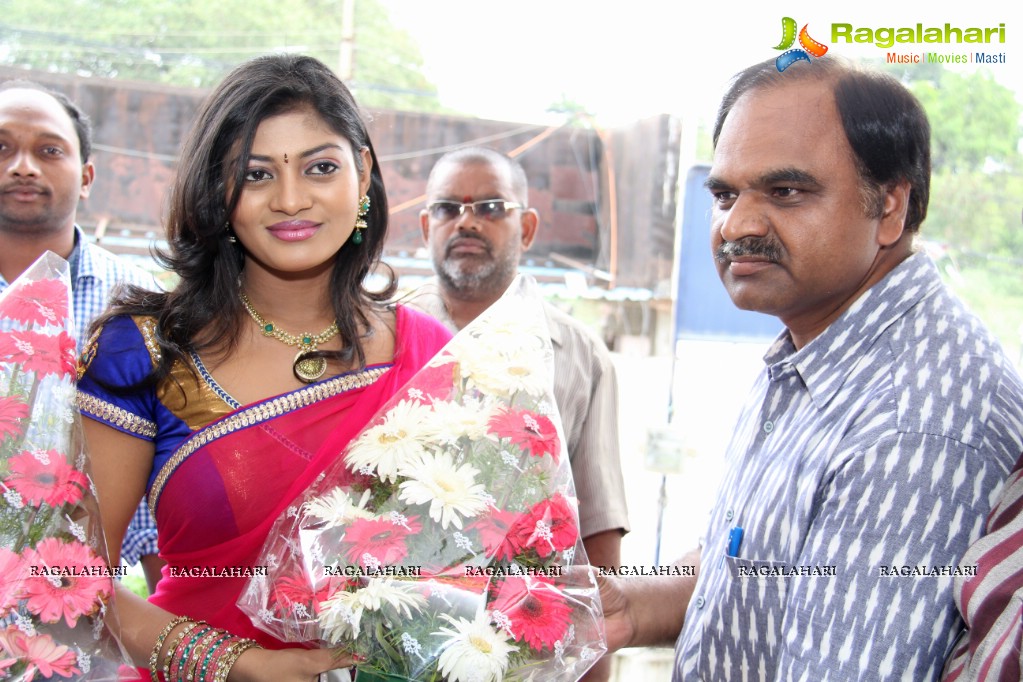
[825, 363]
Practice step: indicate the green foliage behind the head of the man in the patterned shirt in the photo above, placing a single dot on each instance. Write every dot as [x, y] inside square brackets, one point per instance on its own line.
[976, 193]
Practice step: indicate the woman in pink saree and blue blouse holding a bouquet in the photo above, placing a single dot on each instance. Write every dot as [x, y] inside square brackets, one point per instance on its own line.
[221, 401]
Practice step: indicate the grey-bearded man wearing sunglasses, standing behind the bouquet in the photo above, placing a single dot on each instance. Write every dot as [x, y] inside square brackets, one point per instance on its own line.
[477, 226]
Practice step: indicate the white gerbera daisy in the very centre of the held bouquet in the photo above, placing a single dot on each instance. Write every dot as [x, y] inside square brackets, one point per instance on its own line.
[449, 489]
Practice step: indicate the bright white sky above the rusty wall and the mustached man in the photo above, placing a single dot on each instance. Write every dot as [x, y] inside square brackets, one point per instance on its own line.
[630, 61]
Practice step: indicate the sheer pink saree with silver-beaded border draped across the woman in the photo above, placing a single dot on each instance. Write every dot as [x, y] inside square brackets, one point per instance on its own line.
[217, 497]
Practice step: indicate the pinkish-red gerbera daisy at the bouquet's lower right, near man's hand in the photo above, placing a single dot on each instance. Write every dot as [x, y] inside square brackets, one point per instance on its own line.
[532, 609]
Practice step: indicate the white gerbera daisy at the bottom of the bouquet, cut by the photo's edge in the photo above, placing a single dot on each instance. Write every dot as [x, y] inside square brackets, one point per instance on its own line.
[474, 651]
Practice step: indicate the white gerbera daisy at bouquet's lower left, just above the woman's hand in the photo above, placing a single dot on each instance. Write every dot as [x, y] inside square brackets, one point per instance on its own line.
[341, 615]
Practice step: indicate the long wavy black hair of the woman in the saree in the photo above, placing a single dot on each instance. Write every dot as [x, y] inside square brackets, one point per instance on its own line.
[204, 310]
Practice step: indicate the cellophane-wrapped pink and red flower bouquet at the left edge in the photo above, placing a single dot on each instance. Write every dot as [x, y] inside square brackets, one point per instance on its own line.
[56, 585]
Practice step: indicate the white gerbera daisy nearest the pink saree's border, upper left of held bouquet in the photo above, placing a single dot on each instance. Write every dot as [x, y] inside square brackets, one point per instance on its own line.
[389, 446]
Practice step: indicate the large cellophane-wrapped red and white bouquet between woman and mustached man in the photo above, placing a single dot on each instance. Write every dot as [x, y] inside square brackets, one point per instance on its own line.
[440, 545]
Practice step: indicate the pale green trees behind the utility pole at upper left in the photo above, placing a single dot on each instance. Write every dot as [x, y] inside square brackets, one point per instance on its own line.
[195, 43]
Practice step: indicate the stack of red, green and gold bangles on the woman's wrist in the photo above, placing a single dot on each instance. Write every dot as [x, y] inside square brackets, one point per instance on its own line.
[199, 653]
